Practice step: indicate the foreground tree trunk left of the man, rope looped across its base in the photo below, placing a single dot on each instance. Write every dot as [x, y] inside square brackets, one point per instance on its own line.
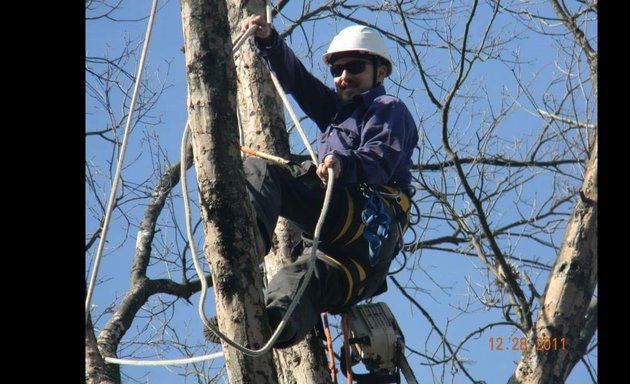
[226, 212]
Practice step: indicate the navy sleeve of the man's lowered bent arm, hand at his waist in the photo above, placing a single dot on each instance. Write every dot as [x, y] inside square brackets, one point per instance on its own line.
[386, 133]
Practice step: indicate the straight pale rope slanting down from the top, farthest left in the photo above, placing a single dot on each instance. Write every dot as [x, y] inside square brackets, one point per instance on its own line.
[121, 159]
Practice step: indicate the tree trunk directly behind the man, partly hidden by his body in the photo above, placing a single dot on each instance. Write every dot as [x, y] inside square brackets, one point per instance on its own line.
[262, 119]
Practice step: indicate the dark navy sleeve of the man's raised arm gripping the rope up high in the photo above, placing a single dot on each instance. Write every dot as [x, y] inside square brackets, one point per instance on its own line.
[313, 96]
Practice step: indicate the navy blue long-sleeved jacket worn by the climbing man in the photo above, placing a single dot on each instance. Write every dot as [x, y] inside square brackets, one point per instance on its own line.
[373, 136]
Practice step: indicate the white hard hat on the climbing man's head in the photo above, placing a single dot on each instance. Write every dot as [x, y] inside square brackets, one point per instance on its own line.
[358, 39]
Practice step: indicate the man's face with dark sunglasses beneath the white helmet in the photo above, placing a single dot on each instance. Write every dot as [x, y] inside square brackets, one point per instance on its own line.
[350, 84]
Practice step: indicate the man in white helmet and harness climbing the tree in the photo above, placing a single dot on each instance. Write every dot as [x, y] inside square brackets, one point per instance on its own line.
[367, 138]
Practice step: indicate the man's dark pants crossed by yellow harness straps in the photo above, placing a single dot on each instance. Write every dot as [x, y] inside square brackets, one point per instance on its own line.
[343, 275]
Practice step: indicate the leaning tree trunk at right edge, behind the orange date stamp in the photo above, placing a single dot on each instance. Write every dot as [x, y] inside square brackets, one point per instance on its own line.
[568, 296]
